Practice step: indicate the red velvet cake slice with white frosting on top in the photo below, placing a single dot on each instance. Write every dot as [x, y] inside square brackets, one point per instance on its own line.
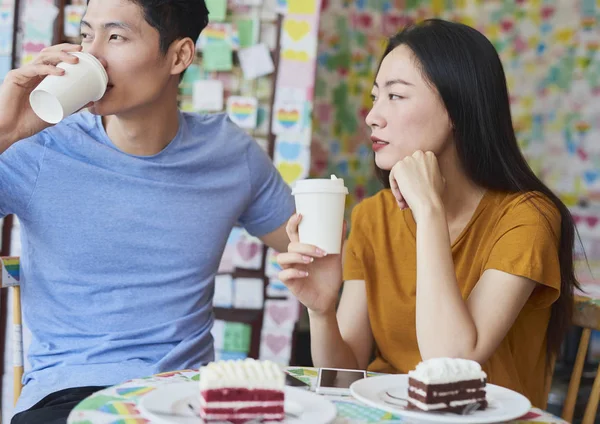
[240, 391]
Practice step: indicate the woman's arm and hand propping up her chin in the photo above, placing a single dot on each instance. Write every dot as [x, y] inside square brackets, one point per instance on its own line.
[446, 324]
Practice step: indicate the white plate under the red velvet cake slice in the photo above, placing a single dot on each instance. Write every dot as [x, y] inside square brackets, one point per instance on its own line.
[168, 404]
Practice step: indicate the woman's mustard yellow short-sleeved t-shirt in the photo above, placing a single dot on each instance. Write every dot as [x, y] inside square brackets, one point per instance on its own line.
[512, 232]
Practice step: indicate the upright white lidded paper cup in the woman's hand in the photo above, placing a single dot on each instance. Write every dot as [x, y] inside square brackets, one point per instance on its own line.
[321, 203]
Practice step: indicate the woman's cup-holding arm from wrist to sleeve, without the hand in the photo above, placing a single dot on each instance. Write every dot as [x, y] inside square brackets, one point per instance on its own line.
[345, 340]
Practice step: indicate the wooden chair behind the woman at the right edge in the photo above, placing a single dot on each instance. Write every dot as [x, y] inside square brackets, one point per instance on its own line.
[585, 316]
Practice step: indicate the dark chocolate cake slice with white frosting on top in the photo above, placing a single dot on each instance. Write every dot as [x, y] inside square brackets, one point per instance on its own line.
[447, 385]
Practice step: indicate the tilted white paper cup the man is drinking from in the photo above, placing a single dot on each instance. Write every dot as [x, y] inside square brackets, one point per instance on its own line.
[59, 96]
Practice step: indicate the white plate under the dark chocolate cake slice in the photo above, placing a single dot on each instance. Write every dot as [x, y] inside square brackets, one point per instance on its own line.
[504, 404]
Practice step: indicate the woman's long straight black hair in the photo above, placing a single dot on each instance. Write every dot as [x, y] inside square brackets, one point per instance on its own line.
[466, 70]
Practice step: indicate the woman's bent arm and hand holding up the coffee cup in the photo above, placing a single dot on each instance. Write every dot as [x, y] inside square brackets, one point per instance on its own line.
[342, 341]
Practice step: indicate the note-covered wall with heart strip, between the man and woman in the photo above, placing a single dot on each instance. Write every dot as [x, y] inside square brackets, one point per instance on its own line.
[256, 62]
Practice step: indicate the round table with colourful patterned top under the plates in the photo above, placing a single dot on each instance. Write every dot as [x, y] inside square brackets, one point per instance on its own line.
[118, 404]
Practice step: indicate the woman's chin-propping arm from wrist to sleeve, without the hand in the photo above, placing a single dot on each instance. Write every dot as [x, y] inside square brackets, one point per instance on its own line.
[446, 324]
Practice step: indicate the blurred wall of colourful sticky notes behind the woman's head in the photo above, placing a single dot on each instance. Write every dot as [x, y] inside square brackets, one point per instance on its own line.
[550, 54]
